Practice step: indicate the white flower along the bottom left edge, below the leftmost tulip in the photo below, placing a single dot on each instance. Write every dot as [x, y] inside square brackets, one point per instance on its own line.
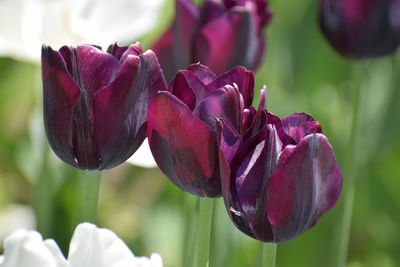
[90, 247]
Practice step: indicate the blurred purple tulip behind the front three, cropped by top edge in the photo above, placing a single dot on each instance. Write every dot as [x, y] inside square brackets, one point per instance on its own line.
[218, 34]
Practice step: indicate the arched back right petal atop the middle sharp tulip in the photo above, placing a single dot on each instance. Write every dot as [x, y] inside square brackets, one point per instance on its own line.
[240, 76]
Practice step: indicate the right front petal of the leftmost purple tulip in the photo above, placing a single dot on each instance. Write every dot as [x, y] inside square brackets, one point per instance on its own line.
[120, 109]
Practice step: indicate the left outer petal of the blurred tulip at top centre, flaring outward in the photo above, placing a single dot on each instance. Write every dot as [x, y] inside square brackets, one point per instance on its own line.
[164, 51]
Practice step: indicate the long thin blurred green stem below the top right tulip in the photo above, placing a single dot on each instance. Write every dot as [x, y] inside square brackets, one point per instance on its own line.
[350, 172]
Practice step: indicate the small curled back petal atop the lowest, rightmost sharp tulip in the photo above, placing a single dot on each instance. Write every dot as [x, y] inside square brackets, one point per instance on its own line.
[298, 125]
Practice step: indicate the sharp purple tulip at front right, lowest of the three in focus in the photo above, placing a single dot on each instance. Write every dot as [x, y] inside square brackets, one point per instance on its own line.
[278, 176]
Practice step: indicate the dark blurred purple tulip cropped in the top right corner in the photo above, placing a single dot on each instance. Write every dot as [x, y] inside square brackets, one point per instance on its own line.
[361, 28]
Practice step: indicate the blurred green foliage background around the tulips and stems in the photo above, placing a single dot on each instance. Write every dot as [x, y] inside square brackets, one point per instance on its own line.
[303, 73]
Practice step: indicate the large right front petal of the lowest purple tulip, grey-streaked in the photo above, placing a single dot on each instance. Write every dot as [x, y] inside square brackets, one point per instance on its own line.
[307, 183]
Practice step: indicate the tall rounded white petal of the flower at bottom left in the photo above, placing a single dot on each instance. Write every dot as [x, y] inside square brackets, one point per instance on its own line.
[91, 246]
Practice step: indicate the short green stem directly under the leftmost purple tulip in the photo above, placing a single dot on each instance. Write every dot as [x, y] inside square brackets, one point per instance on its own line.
[90, 194]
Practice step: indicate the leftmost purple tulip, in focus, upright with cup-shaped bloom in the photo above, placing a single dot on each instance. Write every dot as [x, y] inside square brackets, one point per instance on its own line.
[95, 102]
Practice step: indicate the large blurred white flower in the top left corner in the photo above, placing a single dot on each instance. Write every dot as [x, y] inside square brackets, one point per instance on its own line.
[26, 24]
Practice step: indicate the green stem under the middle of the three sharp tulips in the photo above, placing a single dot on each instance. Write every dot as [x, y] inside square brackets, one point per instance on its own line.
[206, 206]
